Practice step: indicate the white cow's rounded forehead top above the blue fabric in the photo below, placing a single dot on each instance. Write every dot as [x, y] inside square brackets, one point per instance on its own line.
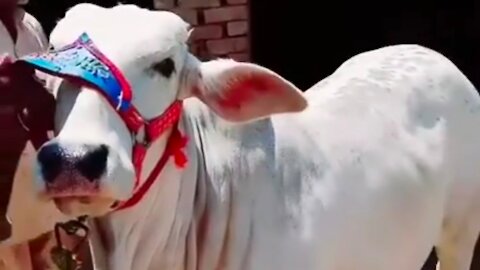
[125, 29]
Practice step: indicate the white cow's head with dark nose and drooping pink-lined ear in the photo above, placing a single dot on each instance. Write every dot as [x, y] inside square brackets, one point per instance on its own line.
[88, 166]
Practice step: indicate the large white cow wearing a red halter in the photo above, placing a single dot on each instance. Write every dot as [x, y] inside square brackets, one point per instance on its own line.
[367, 170]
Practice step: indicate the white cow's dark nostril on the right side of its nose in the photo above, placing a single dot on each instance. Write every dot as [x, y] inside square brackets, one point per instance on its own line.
[93, 164]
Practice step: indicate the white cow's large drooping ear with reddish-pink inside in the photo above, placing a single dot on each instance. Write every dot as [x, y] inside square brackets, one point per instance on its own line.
[241, 92]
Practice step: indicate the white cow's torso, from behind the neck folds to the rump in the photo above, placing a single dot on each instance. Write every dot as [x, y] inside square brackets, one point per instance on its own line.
[362, 179]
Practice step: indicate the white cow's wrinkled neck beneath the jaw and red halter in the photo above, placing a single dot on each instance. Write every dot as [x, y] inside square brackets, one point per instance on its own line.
[185, 221]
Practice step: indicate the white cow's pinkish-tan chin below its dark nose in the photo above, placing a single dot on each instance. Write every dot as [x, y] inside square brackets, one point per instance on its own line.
[75, 206]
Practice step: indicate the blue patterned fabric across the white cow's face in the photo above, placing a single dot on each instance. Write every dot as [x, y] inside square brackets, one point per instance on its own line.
[77, 61]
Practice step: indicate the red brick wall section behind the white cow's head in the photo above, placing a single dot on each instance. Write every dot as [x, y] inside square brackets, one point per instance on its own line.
[220, 26]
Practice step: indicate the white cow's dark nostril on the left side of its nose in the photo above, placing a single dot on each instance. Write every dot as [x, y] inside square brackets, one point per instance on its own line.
[50, 159]
